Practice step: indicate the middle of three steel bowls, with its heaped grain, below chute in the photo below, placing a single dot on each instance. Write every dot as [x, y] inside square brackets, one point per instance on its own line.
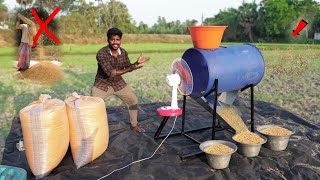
[249, 143]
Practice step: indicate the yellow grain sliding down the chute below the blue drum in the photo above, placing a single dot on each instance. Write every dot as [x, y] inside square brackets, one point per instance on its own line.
[229, 114]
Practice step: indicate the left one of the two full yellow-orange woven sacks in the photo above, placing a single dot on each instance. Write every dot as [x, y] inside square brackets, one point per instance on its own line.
[44, 126]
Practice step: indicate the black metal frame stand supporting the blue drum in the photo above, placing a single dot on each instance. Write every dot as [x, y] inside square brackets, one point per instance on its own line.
[215, 126]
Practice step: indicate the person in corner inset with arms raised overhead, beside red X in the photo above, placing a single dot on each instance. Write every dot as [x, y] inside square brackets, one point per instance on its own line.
[25, 48]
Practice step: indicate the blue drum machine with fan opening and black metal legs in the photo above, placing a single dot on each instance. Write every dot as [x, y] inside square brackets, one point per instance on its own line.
[206, 74]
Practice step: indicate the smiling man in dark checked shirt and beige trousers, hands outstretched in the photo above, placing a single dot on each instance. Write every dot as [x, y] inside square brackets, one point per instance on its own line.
[113, 61]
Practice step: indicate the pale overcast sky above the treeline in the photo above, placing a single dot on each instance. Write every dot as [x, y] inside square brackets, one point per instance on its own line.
[149, 10]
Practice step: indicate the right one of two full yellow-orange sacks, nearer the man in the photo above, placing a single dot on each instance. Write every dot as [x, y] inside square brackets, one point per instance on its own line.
[89, 131]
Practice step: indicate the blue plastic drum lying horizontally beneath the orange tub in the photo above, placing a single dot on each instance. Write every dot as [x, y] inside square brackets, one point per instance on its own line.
[235, 67]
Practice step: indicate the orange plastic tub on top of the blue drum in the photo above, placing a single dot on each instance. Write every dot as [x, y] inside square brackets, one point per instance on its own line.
[206, 37]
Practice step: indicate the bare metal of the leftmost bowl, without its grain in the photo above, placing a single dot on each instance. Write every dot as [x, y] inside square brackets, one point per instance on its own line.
[218, 161]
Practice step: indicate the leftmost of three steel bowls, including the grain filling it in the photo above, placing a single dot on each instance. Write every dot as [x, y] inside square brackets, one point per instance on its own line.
[218, 152]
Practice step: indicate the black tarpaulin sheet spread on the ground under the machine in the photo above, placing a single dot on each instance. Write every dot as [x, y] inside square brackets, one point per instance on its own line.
[301, 159]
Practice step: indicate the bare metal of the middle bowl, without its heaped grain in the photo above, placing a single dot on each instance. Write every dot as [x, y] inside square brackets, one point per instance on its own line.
[250, 150]
